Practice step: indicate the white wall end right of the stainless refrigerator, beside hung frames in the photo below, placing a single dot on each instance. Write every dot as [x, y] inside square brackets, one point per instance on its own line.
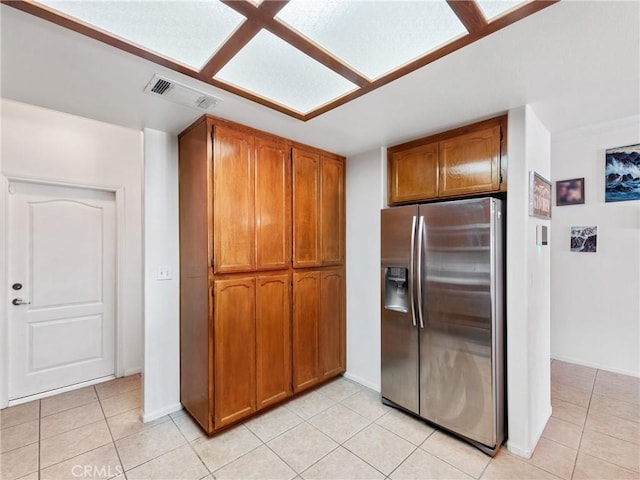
[528, 288]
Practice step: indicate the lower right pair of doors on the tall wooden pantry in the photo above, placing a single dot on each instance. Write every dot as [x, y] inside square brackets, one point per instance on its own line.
[318, 326]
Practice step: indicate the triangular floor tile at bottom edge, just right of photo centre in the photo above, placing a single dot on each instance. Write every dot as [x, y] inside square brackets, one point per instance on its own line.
[342, 464]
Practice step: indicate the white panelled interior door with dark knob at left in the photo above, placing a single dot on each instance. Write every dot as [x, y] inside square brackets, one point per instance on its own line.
[61, 286]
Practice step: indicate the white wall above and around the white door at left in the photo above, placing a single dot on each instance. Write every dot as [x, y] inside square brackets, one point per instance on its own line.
[44, 144]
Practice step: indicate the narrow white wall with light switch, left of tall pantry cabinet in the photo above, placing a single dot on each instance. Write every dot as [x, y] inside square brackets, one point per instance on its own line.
[161, 380]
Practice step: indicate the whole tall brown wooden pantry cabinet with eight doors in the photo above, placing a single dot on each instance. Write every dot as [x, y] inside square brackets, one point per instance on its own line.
[262, 294]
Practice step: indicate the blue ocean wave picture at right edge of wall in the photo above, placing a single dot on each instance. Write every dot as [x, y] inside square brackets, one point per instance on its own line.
[622, 174]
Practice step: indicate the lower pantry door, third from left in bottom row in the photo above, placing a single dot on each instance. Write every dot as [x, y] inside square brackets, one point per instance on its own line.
[306, 297]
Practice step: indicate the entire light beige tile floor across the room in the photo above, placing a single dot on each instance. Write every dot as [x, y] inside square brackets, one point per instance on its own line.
[338, 431]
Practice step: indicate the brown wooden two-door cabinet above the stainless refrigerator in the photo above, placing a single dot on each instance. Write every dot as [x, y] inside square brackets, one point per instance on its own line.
[465, 161]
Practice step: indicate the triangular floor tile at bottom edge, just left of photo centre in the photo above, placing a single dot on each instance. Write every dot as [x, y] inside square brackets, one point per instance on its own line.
[258, 464]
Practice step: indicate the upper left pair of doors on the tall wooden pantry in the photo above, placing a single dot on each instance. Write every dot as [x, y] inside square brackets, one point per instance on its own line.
[251, 182]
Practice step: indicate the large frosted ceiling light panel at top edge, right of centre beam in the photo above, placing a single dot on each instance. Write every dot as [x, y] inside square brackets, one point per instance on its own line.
[374, 37]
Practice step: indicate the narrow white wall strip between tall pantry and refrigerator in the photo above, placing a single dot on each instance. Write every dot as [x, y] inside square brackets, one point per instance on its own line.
[365, 198]
